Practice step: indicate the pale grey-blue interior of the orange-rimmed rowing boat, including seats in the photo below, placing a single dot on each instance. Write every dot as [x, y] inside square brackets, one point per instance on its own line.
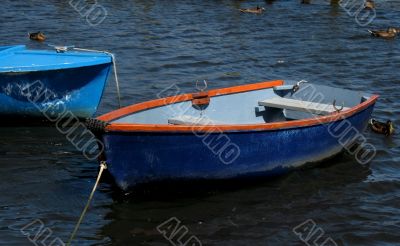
[277, 104]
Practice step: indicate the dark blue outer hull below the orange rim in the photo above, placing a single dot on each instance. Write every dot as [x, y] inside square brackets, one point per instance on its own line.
[141, 157]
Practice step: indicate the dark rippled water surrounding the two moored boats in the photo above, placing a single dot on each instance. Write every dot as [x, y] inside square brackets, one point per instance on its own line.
[157, 43]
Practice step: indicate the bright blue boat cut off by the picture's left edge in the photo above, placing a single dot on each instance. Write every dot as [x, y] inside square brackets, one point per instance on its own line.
[33, 82]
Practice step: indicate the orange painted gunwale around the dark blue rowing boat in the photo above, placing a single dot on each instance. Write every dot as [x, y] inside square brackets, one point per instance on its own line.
[135, 108]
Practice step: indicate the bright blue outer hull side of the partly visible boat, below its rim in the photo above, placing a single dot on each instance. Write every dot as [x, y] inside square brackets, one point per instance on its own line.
[31, 94]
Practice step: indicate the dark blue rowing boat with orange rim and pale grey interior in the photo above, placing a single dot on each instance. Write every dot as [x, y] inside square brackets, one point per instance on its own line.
[256, 130]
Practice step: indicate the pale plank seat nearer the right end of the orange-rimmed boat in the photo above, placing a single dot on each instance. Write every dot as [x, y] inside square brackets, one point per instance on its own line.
[299, 105]
